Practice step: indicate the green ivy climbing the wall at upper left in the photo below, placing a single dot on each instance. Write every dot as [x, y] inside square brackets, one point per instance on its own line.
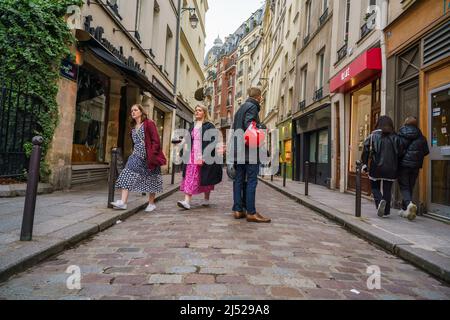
[34, 38]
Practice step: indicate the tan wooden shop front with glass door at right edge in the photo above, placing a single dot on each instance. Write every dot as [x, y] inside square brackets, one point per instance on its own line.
[418, 84]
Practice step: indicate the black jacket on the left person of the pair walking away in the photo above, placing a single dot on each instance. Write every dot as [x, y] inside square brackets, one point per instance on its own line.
[384, 153]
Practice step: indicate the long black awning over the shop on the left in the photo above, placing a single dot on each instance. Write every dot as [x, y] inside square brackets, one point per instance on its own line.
[140, 79]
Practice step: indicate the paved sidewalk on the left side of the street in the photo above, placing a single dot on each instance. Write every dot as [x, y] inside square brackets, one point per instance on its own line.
[62, 219]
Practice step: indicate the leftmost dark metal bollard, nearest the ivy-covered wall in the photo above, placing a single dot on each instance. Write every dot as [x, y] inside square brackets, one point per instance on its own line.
[26, 233]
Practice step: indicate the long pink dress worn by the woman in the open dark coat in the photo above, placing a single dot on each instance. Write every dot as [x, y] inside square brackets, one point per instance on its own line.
[191, 183]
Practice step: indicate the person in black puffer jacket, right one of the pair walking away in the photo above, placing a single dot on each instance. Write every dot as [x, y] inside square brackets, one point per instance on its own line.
[416, 149]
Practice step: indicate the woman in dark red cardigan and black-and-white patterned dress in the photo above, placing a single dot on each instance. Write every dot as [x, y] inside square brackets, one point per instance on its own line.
[142, 173]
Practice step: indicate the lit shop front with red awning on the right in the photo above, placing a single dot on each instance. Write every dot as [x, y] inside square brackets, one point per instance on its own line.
[360, 83]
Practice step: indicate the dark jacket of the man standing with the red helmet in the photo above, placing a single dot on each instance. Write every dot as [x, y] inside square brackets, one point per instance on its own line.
[247, 113]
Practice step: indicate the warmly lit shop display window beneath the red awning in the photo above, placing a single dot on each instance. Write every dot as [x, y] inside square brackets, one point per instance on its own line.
[361, 110]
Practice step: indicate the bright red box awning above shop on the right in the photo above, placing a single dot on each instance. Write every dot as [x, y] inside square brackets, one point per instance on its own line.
[362, 68]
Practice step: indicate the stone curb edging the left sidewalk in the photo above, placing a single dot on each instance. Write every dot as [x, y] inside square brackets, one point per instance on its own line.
[66, 238]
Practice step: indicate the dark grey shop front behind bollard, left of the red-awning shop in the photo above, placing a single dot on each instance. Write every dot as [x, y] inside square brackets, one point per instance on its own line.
[313, 145]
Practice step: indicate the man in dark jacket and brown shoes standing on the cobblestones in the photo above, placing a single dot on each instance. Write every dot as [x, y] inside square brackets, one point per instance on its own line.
[245, 116]
